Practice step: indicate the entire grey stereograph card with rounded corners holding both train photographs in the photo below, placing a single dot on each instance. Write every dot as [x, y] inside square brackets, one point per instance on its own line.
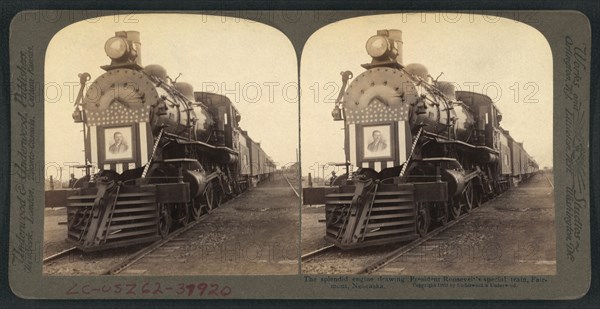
[299, 154]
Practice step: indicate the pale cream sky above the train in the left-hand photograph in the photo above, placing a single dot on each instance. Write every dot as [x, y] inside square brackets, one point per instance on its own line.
[253, 64]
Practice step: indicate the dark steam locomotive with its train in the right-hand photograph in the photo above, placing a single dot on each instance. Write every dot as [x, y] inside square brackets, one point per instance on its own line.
[425, 152]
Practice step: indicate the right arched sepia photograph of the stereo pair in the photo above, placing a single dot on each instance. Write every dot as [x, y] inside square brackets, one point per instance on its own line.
[427, 147]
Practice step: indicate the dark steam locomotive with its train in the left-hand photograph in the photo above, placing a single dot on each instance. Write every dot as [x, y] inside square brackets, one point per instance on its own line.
[166, 154]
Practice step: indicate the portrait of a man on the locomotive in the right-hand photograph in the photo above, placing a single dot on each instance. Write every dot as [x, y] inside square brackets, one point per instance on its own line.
[377, 143]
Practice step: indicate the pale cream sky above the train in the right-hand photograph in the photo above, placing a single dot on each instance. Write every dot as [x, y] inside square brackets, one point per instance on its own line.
[509, 61]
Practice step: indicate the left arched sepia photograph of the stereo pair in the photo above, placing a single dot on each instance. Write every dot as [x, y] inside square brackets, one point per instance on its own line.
[171, 148]
